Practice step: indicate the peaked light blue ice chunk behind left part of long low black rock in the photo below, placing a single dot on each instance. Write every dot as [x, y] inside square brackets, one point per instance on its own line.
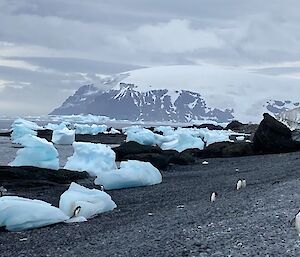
[37, 152]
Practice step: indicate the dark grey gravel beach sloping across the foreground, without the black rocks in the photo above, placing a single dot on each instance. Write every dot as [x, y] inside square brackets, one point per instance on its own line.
[176, 218]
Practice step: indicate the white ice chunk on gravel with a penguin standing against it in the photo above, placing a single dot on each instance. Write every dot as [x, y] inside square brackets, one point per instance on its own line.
[91, 201]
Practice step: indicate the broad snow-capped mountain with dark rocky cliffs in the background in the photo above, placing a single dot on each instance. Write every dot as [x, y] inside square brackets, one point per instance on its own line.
[184, 93]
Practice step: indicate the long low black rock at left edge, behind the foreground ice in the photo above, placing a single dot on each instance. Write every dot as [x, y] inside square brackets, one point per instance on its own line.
[28, 176]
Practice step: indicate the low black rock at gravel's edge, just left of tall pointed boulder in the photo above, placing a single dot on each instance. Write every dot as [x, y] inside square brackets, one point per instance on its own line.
[227, 149]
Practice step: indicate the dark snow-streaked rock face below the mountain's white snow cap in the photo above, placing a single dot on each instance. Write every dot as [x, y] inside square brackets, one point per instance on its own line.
[154, 105]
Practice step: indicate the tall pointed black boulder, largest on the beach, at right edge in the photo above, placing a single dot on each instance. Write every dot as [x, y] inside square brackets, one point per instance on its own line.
[273, 136]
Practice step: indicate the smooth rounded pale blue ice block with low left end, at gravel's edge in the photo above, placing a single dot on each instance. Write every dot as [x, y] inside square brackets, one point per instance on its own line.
[131, 174]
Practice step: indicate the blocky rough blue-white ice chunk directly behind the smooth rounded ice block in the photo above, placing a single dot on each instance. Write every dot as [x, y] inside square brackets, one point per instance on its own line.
[92, 158]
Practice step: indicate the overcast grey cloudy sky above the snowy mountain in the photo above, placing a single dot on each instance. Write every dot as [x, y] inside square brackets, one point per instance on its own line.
[48, 49]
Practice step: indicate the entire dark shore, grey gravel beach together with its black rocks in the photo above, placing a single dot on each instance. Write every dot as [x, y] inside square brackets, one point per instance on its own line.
[176, 217]
